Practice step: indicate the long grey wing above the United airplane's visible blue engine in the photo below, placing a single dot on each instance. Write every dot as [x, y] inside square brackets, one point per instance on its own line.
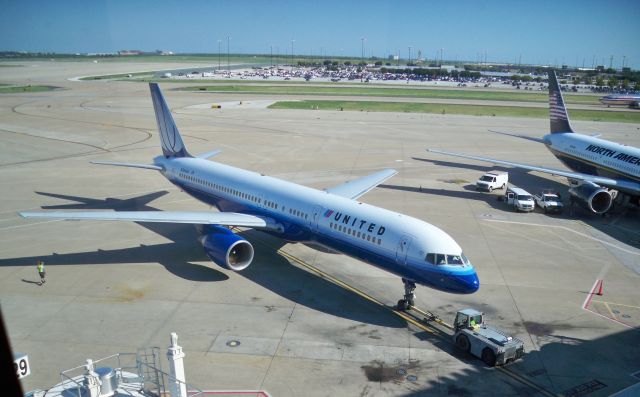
[192, 217]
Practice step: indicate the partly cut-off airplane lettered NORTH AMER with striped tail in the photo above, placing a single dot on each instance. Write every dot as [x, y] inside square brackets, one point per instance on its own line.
[599, 166]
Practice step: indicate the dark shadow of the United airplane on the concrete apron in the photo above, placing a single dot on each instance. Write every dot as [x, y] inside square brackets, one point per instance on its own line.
[268, 269]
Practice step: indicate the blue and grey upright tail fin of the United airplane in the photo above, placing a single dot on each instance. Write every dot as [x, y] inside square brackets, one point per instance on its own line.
[172, 145]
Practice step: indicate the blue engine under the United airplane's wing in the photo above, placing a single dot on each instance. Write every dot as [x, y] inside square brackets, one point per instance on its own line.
[227, 249]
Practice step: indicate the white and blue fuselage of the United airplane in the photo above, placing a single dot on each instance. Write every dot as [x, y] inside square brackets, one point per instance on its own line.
[394, 242]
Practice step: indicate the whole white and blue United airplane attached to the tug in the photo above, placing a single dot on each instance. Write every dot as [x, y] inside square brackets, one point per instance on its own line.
[333, 218]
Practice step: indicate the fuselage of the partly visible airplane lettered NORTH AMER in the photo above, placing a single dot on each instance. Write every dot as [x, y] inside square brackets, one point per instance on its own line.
[594, 156]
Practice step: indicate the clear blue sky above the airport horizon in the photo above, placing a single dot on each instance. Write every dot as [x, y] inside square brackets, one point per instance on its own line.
[542, 32]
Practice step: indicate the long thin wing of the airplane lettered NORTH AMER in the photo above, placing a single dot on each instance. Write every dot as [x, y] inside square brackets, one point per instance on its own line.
[602, 181]
